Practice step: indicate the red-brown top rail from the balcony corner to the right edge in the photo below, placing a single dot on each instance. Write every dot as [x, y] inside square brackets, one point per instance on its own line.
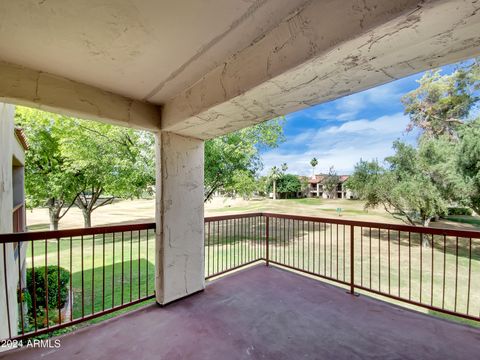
[382, 226]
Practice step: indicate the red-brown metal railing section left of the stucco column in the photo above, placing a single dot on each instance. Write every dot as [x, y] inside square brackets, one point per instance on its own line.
[100, 269]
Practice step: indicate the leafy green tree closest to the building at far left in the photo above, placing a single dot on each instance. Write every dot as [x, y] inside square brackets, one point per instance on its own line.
[49, 181]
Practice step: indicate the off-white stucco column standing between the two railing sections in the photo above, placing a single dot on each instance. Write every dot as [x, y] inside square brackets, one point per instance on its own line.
[179, 216]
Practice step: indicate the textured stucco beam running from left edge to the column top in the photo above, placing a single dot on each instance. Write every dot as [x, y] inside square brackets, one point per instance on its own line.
[23, 86]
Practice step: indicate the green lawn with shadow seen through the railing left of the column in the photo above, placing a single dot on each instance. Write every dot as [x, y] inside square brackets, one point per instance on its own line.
[111, 266]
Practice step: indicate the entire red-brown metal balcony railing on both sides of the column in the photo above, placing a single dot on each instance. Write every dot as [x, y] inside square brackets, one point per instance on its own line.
[66, 277]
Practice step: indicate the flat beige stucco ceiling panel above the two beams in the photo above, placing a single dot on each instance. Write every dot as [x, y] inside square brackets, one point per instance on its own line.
[146, 50]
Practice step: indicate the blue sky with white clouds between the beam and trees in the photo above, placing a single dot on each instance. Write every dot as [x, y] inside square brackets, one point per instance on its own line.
[340, 132]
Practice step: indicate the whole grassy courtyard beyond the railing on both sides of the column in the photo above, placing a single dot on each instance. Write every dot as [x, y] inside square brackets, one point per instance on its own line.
[113, 266]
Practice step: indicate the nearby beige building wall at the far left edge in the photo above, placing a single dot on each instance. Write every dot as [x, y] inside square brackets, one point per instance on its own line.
[12, 216]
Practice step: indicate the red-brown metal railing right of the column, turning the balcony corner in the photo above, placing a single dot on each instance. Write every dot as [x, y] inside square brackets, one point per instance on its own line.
[442, 274]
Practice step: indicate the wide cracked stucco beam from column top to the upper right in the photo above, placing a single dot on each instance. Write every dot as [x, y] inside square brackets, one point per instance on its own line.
[312, 57]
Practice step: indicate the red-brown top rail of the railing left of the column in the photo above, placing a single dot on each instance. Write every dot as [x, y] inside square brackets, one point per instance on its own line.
[56, 234]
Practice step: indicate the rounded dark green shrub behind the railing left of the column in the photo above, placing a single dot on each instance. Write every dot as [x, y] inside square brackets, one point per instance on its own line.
[40, 286]
